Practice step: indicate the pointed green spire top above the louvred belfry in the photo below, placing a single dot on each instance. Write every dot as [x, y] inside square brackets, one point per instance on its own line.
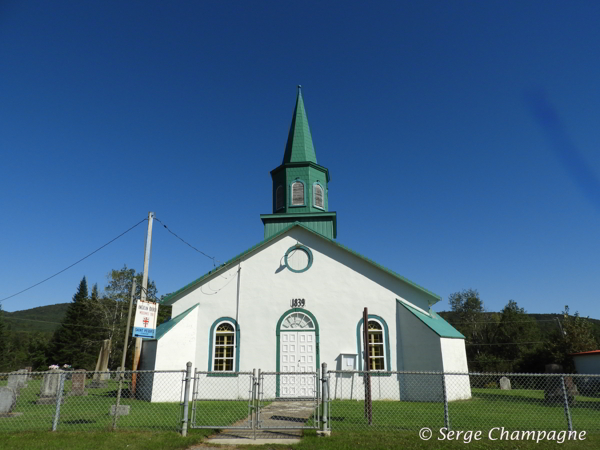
[299, 147]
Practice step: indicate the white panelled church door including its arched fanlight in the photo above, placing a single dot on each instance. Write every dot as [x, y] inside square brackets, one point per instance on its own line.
[298, 349]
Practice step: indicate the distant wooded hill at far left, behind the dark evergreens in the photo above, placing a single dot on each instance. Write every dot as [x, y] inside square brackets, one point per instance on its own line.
[44, 319]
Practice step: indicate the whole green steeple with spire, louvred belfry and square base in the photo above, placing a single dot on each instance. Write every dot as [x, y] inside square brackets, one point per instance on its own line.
[300, 185]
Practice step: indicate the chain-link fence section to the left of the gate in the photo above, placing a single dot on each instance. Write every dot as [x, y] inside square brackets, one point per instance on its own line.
[80, 400]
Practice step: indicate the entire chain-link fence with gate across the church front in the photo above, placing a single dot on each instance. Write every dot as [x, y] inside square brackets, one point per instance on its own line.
[337, 400]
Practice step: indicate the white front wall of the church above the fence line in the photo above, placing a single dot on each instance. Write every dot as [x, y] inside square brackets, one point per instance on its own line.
[336, 288]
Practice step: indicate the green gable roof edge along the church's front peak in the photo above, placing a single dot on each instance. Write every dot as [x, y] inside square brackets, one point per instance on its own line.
[168, 300]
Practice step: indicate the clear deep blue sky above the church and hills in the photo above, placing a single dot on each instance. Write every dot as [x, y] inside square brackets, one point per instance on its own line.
[461, 138]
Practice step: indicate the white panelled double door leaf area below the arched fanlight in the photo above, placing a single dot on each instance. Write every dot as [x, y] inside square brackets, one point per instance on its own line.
[298, 356]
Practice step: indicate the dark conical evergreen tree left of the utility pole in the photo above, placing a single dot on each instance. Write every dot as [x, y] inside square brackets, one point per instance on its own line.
[70, 343]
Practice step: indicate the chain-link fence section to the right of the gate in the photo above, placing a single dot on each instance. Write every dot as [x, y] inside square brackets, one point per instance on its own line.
[463, 401]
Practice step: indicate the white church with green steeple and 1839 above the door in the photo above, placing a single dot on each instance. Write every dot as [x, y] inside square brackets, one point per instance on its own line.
[296, 300]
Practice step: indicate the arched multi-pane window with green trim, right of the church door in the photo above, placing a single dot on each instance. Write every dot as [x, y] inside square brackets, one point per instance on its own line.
[378, 344]
